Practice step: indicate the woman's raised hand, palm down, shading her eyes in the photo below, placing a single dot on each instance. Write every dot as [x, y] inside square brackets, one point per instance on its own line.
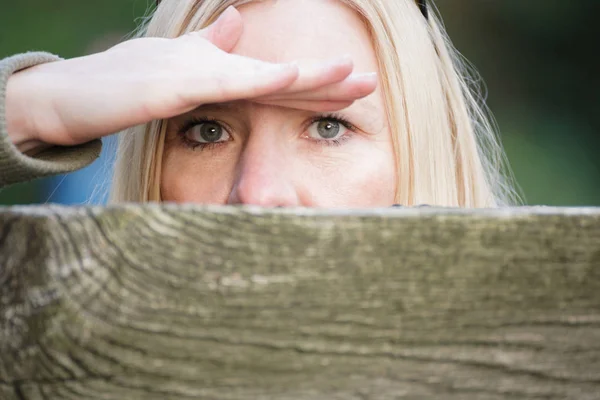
[74, 101]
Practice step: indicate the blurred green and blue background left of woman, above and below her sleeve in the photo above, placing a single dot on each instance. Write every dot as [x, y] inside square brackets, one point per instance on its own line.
[69, 28]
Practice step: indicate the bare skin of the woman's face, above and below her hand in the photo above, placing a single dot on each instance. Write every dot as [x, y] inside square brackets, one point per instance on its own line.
[267, 150]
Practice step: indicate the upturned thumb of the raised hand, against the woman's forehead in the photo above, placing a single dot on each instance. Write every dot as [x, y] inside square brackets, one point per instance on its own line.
[225, 31]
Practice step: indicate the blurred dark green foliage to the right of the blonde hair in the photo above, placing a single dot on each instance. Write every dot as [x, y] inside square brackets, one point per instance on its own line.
[540, 61]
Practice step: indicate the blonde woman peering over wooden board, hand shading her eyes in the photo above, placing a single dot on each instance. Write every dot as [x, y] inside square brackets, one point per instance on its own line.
[328, 103]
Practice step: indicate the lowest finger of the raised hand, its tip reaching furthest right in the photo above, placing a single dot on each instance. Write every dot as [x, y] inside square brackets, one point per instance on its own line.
[354, 87]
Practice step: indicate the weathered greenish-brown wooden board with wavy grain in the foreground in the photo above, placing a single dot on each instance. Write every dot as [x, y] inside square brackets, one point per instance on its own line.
[179, 302]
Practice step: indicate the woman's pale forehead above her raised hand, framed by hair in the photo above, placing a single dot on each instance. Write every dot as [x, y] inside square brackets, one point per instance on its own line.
[281, 31]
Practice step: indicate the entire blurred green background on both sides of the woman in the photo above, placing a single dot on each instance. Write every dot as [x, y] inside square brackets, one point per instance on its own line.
[538, 58]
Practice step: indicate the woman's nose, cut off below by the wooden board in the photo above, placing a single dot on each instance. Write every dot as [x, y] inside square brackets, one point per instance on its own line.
[264, 178]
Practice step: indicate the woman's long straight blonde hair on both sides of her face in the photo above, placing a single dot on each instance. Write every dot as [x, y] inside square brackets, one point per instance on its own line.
[446, 149]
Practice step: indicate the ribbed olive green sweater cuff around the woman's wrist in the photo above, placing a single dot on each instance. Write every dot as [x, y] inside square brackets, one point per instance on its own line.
[18, 167]
